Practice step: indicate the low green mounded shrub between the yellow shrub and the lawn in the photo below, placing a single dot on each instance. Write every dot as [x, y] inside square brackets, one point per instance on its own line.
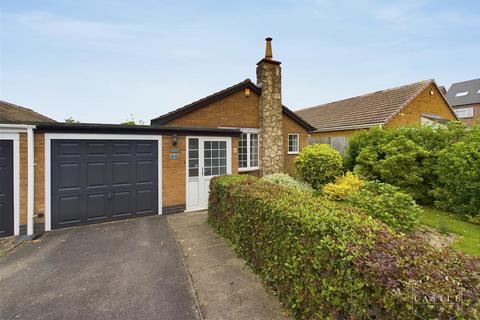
[386, 203]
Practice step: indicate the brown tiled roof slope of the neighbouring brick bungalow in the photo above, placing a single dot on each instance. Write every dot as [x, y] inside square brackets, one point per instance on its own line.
[364, 111]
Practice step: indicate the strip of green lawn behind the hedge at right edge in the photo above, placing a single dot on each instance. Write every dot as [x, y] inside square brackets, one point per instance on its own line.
[469, 240]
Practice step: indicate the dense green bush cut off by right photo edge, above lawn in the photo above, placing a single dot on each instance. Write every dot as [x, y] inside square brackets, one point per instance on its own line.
[458, 171]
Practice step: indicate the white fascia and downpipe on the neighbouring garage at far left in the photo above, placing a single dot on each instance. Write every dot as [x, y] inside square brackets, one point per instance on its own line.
[30, 167]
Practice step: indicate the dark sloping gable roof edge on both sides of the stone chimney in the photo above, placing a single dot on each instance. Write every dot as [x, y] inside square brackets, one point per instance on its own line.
[161, 120]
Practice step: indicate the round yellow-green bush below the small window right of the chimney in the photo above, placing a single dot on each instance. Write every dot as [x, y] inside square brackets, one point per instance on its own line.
[318, 164]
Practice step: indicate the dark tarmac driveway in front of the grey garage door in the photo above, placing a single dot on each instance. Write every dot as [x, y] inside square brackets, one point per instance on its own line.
[130, 269]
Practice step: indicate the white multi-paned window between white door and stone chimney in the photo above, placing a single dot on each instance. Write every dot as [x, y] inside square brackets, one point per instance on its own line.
[248, 151]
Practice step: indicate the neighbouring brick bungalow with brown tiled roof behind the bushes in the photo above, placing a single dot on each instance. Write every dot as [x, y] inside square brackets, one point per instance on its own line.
[409, 105]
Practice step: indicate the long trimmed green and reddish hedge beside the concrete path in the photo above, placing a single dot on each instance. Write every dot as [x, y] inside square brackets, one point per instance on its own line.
[328, 262]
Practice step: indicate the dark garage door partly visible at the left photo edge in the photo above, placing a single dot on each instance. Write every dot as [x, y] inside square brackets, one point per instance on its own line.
[6, 188]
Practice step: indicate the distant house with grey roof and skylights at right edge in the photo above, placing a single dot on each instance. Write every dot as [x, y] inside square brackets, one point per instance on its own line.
[464, 97]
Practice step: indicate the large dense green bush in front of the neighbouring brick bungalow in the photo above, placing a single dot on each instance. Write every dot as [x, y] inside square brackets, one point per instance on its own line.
[404, 157]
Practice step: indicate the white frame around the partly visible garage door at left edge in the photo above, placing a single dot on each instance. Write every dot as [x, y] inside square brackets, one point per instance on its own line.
[15, 137]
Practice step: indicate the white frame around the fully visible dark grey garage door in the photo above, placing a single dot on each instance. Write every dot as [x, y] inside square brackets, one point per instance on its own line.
[92, 136]
